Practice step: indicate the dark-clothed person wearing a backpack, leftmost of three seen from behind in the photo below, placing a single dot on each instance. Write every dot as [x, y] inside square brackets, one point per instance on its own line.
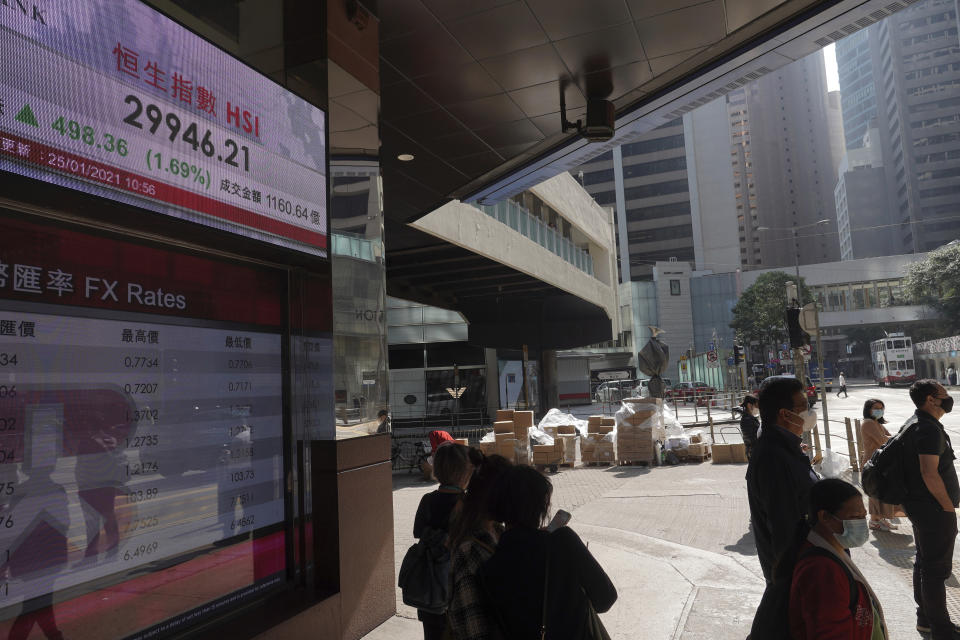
[452, 469]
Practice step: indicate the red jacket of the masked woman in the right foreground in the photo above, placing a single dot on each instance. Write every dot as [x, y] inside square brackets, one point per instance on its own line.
[820, 602]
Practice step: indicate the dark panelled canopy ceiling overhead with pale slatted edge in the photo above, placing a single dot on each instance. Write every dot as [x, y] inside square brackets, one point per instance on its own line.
[471, 88]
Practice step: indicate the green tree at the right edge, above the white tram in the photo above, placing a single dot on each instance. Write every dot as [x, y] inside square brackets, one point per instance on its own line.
[935, 282]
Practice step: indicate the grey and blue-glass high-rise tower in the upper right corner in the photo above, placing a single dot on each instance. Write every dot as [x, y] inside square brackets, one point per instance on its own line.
[905, 73]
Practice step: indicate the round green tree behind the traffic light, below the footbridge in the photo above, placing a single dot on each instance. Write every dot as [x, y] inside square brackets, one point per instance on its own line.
[759, 315]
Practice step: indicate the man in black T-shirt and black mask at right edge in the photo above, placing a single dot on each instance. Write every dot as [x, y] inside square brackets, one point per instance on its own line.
[933, 494]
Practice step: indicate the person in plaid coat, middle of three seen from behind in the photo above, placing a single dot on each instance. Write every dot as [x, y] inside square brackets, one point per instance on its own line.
[473, 539]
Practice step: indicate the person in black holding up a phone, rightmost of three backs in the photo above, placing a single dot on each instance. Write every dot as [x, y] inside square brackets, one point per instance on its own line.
[531, 563]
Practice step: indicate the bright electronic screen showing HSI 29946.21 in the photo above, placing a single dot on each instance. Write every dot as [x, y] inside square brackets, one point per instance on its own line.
[112, 98]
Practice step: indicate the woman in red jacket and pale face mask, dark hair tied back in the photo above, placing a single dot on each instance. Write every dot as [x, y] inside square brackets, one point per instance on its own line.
[829, 597]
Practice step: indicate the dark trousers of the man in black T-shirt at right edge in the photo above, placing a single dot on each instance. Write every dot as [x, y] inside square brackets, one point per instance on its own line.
[934, 533]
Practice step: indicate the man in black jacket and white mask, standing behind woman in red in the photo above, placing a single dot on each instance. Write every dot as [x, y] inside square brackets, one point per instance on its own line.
[779, 478]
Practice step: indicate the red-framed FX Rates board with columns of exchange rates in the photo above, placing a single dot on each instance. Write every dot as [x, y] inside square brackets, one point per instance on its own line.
[142, 475]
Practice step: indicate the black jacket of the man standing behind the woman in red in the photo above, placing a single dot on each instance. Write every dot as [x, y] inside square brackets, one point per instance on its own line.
[779, 478]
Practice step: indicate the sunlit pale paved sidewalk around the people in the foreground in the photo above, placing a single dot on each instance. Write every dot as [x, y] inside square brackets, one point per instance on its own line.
[676, 543]
